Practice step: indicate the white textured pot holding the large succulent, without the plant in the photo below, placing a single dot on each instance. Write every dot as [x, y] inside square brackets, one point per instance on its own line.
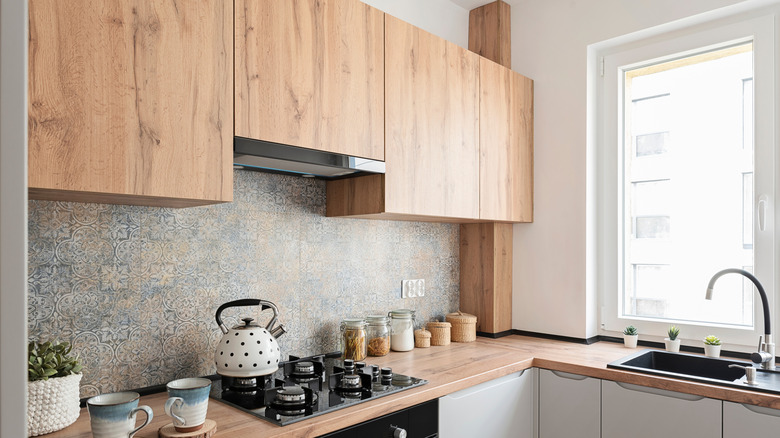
[52, 404]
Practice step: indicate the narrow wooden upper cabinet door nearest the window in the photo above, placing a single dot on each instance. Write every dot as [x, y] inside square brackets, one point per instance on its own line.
[506, 144]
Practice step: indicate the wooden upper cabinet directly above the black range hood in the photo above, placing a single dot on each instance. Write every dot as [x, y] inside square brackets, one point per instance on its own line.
[310, 73]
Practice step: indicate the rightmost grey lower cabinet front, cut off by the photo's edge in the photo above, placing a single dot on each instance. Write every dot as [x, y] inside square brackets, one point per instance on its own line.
[741, 420]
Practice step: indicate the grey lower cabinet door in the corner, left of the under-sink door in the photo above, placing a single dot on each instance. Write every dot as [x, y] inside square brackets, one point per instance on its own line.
[569, 405]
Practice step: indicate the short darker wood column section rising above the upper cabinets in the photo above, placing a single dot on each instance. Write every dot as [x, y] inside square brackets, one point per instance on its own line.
[490, 32]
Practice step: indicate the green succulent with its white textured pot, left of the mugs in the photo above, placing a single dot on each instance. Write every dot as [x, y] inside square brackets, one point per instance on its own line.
[53, 387]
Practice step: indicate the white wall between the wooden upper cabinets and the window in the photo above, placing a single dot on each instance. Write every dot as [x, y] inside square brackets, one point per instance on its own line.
[554, 289]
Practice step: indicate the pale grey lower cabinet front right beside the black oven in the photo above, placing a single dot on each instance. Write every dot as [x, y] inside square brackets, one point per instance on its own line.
[501, 408]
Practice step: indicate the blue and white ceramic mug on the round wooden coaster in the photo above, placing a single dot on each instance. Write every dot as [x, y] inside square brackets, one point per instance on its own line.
[188, 400]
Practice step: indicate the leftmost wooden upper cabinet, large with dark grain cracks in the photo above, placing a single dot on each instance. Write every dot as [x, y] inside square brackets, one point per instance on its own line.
[131, 102]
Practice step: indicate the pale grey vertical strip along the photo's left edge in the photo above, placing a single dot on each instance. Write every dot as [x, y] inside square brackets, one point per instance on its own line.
[13, 218]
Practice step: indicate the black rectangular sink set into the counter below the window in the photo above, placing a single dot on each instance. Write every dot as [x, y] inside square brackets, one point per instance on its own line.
[697, 368]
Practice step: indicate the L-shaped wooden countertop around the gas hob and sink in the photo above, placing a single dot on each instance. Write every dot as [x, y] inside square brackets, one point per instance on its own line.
[447, 369]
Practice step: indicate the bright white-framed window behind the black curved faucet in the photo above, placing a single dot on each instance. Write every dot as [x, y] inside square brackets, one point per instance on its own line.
[687, 145]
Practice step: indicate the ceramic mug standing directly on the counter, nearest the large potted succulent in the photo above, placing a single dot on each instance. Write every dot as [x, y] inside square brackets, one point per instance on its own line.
[113, 415]
